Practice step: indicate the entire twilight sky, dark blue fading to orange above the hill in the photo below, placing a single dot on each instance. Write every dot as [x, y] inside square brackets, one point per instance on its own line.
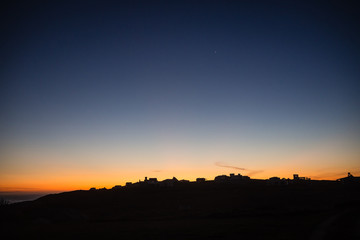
[99, 93]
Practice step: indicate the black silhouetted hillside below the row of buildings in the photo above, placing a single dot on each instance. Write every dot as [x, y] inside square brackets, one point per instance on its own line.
[252, 210]
